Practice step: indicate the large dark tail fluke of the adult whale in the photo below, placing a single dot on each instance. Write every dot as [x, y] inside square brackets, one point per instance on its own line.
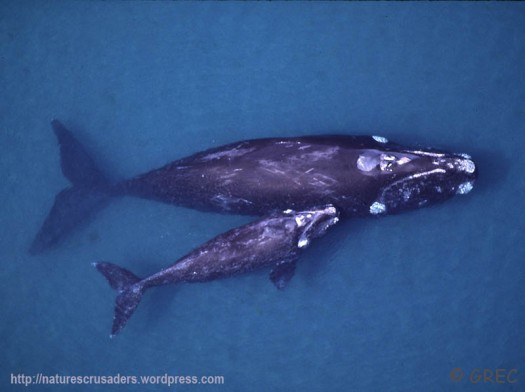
[90, 192]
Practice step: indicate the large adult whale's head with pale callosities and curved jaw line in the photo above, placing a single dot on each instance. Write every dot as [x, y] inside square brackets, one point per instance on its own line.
[413, 178]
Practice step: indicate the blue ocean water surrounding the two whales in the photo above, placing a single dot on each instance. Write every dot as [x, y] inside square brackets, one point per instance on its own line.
[393, 304]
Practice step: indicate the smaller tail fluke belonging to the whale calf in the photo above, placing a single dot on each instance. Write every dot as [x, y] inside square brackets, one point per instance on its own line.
[130, 289]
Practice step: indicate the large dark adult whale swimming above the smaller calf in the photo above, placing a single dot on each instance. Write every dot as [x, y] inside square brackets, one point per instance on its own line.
[359, 175]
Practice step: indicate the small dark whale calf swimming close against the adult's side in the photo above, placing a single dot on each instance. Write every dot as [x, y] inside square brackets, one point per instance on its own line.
[273, 241]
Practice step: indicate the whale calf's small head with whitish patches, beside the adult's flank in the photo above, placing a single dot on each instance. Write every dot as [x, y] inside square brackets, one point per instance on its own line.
[313, 223]
